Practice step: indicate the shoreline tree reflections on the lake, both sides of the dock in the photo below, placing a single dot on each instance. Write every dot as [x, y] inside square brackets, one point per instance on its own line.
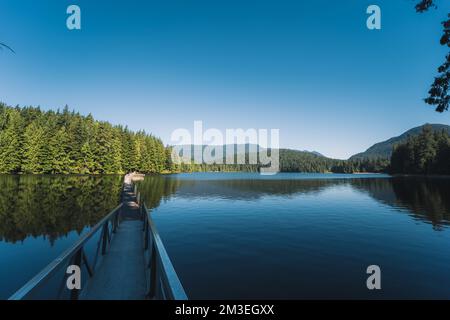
[52, 206]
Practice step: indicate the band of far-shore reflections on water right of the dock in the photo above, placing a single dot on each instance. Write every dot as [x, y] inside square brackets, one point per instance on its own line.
[425, 199]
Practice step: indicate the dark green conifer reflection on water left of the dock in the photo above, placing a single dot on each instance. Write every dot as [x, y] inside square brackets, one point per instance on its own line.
[53, 206]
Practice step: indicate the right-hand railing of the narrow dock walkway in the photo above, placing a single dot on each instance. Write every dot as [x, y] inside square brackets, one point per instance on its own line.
[162, 280]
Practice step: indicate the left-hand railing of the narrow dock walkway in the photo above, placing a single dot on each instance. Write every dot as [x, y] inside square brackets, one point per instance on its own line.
[54, 276]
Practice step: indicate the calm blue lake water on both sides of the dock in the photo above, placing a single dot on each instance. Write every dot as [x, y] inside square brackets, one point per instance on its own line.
[239, 235]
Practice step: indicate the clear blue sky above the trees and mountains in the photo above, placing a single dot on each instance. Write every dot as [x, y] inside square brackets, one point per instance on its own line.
[309, 68]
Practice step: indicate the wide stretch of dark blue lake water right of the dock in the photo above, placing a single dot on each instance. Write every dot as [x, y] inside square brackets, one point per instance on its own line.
[303, 235]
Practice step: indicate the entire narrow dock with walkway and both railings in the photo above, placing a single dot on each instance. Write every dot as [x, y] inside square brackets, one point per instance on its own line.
[129, 262]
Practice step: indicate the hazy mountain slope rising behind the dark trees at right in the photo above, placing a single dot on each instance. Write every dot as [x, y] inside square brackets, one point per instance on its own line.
[384, 149]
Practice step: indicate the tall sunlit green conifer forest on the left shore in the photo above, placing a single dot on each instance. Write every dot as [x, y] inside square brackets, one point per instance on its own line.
[65, 142]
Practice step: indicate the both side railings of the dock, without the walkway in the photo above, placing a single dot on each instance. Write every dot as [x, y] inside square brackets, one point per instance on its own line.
[162, 280]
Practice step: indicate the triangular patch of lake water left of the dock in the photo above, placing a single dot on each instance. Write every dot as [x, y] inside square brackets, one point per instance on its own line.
[41, 216]
